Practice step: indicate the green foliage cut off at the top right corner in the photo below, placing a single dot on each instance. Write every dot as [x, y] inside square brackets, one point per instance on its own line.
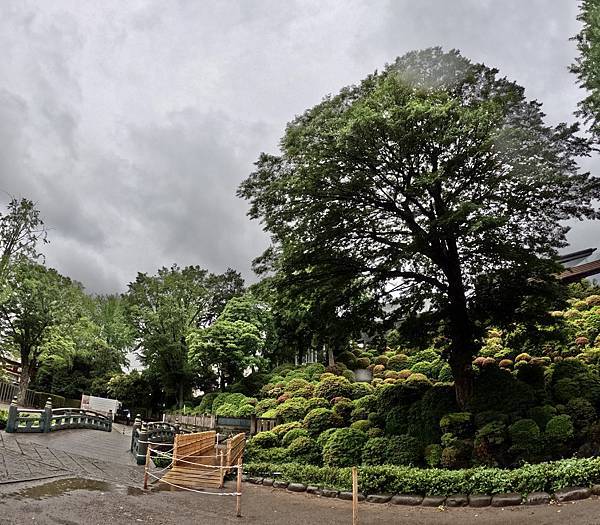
[587, 65]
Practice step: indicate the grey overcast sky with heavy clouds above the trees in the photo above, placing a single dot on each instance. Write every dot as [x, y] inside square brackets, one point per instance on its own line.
[131, 124]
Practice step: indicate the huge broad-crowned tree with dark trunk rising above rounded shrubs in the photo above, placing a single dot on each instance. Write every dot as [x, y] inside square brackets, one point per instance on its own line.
[415, 183]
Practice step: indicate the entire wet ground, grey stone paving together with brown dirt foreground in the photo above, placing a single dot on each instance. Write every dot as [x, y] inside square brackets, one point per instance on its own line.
[63, 479]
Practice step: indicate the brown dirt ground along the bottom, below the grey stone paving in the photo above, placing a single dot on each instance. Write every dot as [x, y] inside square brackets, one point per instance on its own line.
[76, 501]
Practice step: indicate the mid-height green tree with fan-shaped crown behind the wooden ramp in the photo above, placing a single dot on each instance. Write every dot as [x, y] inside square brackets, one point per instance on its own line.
[164, 308]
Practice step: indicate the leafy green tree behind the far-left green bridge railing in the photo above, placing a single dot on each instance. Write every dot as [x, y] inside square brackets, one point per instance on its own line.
[37, 300]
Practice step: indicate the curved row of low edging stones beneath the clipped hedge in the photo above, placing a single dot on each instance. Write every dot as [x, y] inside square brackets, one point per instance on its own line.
[457, 500]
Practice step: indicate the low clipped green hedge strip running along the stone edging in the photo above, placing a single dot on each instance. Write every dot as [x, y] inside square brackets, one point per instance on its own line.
[547, 477]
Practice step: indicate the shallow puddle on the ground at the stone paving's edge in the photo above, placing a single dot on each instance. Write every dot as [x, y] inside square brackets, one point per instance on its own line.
[60, 487]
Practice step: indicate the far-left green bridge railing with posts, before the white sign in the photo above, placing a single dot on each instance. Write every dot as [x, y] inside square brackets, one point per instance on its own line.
[49, 419]
